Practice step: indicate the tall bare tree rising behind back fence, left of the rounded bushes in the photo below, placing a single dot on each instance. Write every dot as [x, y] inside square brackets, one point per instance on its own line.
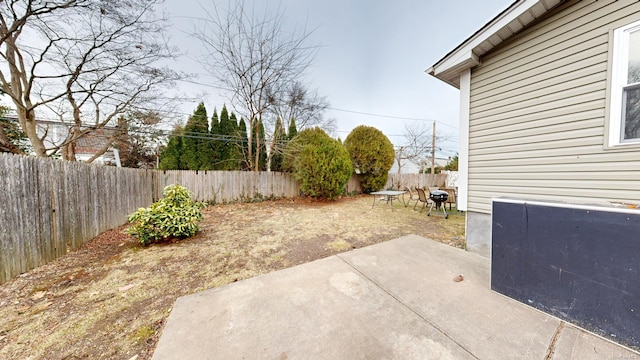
[254, 57]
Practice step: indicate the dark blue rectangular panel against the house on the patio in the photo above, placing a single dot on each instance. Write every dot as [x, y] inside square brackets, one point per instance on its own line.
[580, 265]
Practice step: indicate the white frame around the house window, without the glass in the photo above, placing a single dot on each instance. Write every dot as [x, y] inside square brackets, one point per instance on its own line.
[619, 72]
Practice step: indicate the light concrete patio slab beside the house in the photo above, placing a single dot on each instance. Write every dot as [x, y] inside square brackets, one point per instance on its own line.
[394, 300]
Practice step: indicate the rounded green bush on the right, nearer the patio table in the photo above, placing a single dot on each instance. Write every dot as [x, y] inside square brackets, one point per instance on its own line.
[372, 156]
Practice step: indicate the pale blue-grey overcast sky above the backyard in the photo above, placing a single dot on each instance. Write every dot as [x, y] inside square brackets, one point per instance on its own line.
[372, 58]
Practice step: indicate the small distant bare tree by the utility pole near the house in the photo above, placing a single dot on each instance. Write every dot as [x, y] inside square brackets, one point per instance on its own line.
[417, 144]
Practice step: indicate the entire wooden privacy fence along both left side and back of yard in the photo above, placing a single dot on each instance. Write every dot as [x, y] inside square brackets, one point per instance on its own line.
[50, 207]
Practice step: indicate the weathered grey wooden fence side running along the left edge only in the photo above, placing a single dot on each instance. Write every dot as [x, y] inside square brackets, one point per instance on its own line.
[50, 207]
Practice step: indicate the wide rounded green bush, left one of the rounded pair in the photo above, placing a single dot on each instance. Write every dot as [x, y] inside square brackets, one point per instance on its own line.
[320, 163]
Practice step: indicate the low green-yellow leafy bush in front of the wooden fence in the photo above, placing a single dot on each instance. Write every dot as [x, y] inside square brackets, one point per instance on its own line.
[173, 216]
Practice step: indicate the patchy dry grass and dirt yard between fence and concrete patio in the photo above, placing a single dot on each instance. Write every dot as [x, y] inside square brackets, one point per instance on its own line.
[111, 298]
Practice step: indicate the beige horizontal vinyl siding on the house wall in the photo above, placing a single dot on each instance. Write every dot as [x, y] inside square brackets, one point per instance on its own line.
[538, 109]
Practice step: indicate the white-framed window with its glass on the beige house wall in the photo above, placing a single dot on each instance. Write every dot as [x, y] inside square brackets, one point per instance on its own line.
[625, 86]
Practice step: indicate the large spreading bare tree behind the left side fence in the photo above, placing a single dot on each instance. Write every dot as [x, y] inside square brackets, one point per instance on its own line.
[85, 62]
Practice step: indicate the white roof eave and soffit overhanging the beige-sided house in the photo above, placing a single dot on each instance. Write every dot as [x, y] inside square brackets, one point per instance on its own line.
[467, 55]
